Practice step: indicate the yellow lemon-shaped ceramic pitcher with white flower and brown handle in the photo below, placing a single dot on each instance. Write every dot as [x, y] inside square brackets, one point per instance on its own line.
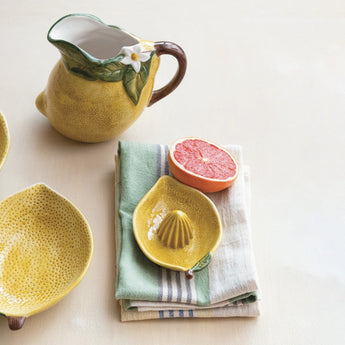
[104, 78]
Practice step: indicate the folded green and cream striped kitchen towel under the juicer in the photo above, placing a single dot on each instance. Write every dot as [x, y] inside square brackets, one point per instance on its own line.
[227, 287]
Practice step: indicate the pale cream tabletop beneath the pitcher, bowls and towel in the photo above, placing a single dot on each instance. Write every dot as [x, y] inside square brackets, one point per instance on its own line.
[269, 75]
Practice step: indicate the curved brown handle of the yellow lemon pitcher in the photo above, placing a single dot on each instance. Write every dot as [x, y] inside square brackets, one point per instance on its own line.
[163, 48]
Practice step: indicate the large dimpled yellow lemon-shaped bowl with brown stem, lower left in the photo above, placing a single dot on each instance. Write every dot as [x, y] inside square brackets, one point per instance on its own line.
[46, 248]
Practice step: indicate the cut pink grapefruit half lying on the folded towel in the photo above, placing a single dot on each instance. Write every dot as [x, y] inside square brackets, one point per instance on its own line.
[202, 164]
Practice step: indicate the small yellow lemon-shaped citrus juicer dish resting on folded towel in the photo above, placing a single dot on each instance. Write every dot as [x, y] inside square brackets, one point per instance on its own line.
[177, 227]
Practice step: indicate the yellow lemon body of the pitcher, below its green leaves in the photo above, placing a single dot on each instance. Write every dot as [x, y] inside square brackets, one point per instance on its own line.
[91, 111]
